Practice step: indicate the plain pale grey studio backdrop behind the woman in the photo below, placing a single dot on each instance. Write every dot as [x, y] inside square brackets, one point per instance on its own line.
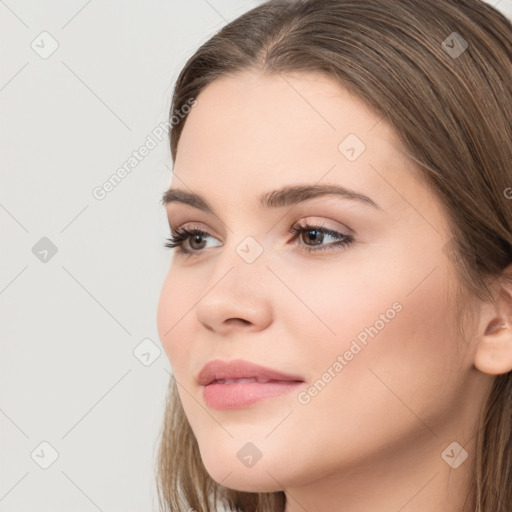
[84, 85]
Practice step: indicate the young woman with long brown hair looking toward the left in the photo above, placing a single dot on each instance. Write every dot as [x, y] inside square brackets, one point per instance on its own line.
[338, 311]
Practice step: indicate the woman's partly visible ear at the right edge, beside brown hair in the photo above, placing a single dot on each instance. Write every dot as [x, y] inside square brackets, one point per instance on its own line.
[494, 346]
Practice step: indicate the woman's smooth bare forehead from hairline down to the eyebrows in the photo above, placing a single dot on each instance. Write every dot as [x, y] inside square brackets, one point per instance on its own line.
[251, 132]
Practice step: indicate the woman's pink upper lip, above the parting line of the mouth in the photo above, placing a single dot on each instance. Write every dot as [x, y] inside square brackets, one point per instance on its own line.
[240, 369]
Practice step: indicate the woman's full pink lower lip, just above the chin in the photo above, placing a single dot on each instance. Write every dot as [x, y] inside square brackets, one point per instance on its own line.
[243, 394]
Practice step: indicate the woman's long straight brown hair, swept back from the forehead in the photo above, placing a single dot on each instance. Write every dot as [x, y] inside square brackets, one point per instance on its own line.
[451, 105]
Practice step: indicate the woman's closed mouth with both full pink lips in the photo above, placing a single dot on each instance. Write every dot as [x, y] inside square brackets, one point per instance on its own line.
[238, 384]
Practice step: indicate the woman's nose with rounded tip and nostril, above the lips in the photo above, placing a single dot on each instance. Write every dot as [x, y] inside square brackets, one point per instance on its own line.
[238, 297]
